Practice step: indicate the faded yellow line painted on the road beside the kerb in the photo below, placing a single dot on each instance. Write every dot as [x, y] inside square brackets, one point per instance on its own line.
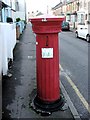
[85, 103]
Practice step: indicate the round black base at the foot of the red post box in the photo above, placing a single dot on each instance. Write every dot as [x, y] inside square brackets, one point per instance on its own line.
[49, 106]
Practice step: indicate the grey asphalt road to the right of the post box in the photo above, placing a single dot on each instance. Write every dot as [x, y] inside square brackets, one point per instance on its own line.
[74, 62]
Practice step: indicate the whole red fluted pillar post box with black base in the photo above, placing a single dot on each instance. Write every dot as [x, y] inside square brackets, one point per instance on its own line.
[47, 62]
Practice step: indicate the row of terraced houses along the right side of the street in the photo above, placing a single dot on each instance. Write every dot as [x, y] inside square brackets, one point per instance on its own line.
[75, 11]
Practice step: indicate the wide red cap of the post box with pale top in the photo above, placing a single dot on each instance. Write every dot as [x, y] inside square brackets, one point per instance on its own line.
[46, 24]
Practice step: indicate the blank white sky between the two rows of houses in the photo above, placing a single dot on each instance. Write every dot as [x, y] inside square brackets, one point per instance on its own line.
[40, 5]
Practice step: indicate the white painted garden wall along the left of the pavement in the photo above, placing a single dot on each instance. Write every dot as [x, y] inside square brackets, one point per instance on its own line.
[7, 44]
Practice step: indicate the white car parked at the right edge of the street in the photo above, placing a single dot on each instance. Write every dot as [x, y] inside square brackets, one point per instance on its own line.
[82, 32]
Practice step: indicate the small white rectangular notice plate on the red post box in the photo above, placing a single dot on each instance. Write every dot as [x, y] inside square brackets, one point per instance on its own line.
[47, 52]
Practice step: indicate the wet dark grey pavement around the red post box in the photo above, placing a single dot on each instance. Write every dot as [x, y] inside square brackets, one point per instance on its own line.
[19, 89]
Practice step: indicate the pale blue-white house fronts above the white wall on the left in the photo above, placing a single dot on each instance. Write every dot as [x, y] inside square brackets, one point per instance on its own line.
[13, 9]
